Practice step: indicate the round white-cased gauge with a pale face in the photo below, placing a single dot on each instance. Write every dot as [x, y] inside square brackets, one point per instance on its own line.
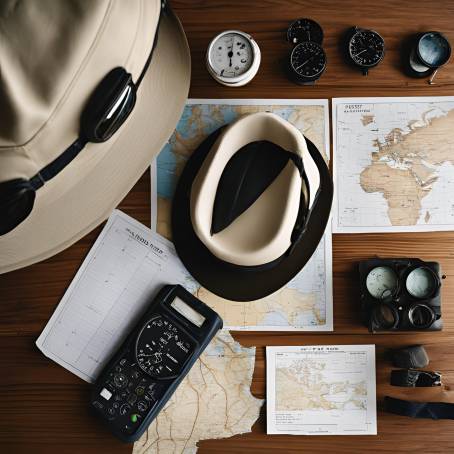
[233, 58]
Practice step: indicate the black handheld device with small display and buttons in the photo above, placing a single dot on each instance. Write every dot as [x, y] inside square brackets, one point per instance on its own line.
[153, 360]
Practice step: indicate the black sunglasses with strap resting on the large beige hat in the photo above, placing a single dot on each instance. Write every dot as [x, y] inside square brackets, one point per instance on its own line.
[107, 109]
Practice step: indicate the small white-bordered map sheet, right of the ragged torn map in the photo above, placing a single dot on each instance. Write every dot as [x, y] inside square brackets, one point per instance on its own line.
[321, 390]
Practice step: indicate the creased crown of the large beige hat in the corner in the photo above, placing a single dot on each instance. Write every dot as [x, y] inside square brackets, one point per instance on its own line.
[42, 45]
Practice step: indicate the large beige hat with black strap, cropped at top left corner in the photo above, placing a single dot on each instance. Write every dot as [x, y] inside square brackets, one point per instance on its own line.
[90, 90]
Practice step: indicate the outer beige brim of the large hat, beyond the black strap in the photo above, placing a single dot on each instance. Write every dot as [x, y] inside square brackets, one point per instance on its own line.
[84, 194]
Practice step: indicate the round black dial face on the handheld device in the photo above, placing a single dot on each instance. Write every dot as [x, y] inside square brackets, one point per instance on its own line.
[162, 349]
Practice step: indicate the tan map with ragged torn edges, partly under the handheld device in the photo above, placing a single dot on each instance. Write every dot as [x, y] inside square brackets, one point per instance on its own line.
[213, 401]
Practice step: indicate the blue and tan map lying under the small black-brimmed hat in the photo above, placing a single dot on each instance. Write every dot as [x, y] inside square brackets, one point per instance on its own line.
[305, 303]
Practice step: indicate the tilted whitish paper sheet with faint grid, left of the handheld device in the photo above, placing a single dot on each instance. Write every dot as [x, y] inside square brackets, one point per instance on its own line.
[118, 279]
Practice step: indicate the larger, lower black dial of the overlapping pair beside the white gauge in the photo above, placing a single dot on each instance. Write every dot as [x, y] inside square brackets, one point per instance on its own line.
[307, 62]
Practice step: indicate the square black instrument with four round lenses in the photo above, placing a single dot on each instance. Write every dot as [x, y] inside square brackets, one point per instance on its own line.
[400, 294]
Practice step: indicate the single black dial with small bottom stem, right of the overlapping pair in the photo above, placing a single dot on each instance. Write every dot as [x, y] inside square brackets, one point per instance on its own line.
[366, 48]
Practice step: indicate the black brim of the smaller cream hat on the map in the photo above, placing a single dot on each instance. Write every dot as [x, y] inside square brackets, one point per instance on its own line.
[243, 283]
